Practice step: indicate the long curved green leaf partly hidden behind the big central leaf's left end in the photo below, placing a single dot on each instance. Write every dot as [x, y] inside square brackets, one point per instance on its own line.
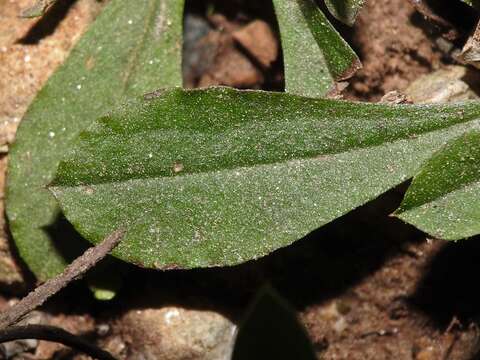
[132, 48]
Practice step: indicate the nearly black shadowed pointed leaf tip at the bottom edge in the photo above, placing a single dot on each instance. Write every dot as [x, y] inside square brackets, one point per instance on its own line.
[271, 330]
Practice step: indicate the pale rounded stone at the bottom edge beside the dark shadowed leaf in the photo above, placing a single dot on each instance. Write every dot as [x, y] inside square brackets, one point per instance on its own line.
[174, 333]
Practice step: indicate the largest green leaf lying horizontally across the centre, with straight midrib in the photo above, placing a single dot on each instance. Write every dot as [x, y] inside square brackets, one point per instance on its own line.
[218, 176]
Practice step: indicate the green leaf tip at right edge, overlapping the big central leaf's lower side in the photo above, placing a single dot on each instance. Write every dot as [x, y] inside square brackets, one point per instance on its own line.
[444, 197]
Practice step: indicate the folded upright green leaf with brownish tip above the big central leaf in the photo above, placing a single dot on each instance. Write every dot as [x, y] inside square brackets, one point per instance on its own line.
[315, 55]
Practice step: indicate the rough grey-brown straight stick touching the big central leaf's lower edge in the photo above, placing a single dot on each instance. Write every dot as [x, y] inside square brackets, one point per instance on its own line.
[72, 272]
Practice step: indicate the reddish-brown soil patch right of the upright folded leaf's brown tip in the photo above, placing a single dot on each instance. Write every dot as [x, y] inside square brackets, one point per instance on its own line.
[394, 52]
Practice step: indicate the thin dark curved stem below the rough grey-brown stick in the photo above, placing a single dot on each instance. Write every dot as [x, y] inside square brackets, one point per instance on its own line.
[52, 333]
